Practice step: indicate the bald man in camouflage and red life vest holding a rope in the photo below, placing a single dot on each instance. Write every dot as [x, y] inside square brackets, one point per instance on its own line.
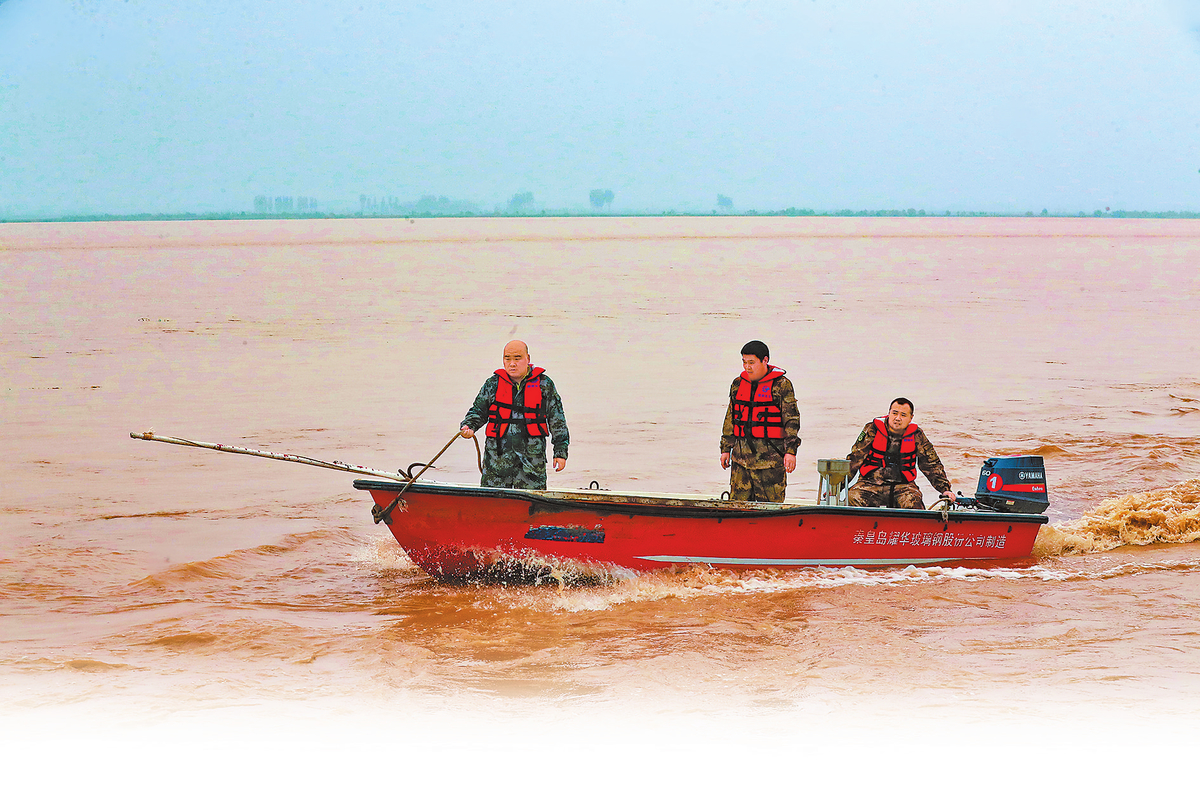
[521, 408]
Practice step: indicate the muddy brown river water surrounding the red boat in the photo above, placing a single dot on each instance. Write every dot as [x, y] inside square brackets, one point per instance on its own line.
[153, 594]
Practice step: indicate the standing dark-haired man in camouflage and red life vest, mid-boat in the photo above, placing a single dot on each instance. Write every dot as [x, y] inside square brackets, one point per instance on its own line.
[763, 430]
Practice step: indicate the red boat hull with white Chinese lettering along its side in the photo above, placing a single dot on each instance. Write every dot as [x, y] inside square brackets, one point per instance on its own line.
[458, 533]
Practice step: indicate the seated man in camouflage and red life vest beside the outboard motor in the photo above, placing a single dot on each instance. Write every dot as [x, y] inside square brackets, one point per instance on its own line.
[887, 455]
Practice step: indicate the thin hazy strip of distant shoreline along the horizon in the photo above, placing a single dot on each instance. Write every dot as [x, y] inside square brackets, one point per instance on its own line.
[562, 214]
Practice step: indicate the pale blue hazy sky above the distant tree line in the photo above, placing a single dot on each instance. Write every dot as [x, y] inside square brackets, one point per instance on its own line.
[163, 106]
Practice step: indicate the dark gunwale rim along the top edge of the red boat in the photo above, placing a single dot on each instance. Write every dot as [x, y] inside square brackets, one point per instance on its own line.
[695, 507]
